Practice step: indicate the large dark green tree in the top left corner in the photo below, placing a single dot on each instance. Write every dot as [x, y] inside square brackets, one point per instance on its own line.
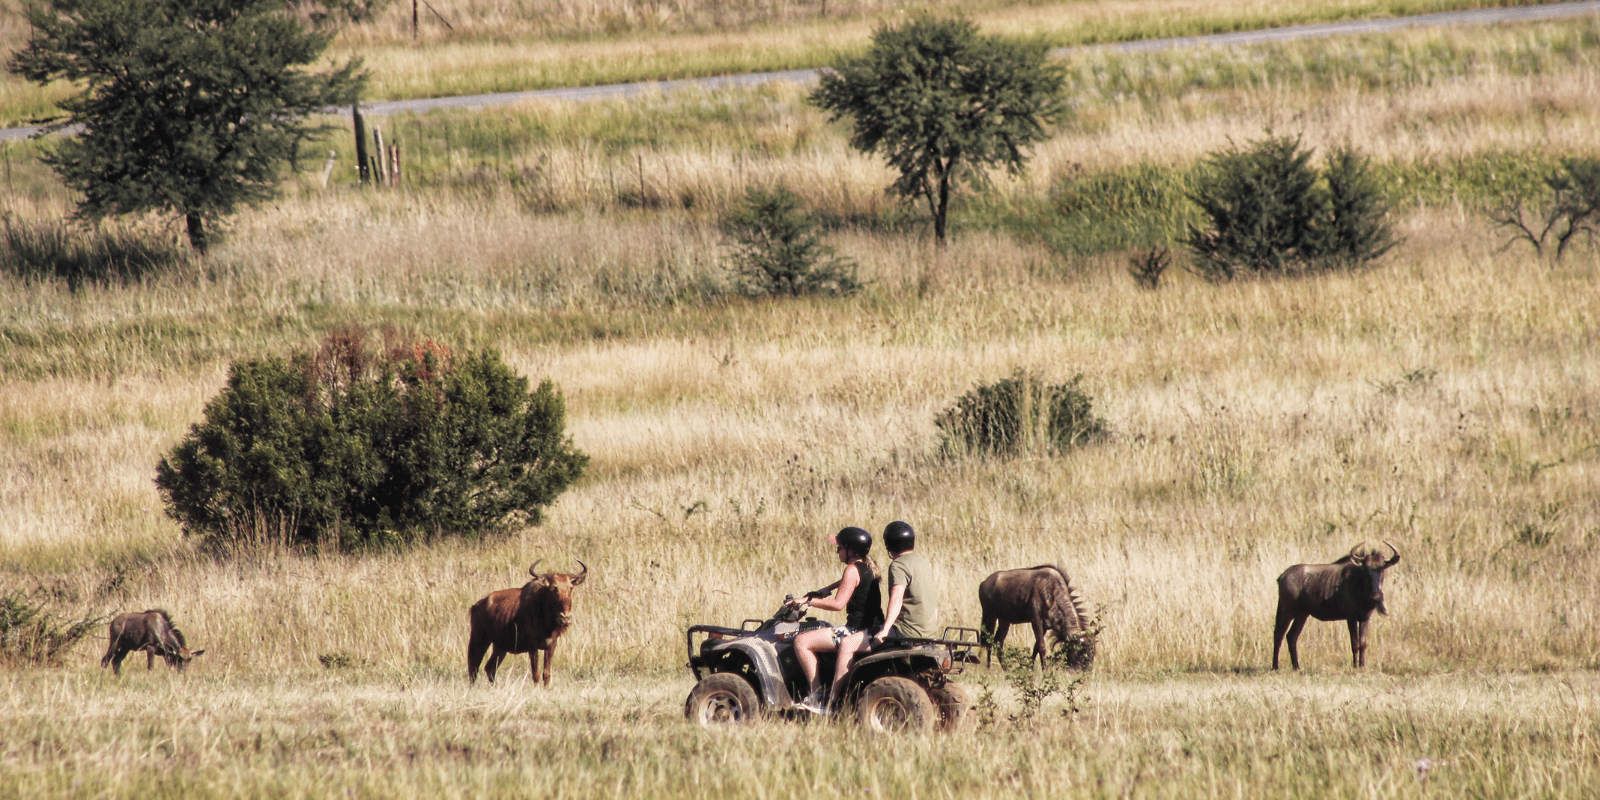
[188, 106]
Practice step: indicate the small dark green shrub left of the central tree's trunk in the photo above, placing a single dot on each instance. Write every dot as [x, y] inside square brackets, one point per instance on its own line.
[777, 249]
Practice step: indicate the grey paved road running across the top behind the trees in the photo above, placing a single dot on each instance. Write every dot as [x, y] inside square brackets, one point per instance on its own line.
[806, 76]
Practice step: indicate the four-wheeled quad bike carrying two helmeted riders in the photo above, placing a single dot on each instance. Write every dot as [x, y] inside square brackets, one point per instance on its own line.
[900, 686]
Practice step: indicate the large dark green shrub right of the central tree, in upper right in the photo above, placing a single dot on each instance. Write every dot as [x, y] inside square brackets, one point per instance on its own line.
[1271, 212]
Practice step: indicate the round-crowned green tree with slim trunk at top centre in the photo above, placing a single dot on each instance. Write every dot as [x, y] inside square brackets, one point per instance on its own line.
[943, 105]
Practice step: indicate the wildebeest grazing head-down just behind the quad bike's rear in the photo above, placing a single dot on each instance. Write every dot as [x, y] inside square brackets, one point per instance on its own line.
[1041, 596]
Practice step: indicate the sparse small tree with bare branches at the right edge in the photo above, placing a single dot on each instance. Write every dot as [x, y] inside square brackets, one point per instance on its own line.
[1570, 209]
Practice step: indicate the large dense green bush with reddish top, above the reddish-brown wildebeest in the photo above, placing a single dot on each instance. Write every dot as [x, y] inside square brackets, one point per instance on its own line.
[353, 449]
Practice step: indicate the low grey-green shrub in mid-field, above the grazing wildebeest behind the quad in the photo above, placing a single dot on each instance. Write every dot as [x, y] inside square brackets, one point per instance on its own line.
[1022, 414]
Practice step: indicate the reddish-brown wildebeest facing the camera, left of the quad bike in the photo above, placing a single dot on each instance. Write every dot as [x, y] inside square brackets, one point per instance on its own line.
[526, 620]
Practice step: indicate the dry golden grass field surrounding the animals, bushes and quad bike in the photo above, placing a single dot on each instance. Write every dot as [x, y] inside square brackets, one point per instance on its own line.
[1447, 401]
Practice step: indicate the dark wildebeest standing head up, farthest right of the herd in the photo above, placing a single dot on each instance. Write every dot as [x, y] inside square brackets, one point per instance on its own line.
[1346, 590]
